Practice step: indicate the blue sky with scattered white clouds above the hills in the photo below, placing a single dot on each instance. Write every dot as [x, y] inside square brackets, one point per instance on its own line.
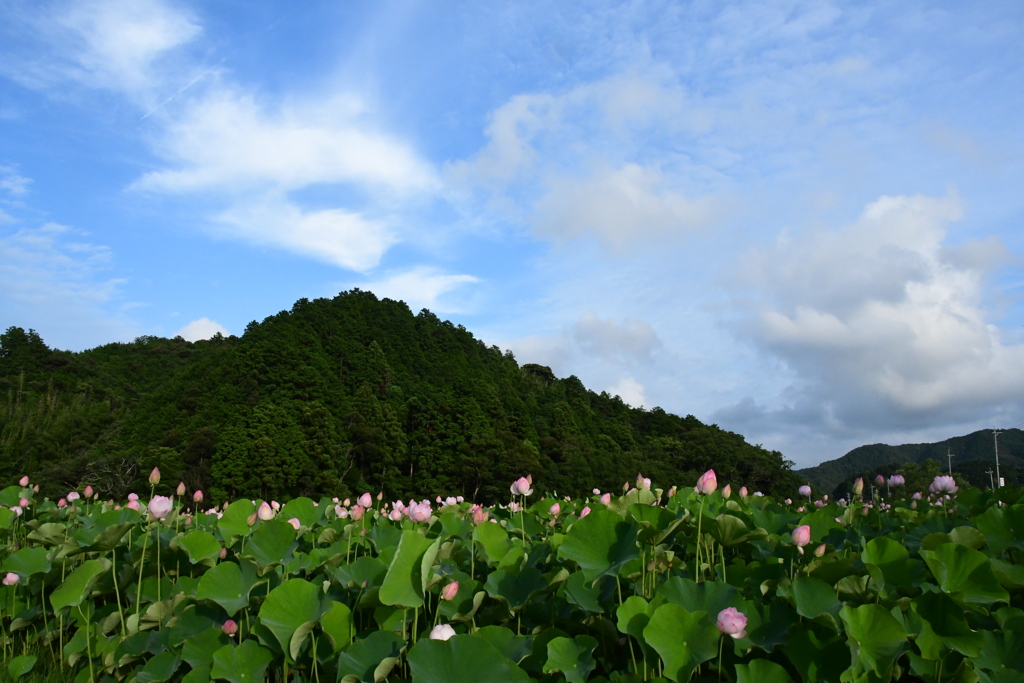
[799, 221]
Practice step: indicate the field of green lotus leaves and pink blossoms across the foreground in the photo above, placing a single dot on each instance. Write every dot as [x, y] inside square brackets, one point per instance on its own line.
[697, 584]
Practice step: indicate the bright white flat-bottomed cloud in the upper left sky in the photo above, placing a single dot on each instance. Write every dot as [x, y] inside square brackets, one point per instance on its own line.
[228, 141]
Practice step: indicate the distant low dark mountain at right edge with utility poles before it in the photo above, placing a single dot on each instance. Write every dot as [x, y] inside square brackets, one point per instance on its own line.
[973, 456]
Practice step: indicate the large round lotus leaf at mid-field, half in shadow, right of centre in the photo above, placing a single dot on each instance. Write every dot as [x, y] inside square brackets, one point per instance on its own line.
[601, 543]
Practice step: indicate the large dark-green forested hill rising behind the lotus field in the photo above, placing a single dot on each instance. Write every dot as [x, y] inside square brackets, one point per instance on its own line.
[335, 397]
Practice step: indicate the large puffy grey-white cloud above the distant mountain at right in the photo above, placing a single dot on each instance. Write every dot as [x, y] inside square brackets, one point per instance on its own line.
[881, 322]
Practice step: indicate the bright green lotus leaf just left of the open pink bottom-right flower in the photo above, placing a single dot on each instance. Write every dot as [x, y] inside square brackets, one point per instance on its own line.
[684, 639]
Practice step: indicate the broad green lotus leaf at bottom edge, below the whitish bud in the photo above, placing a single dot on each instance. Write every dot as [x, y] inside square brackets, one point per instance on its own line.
[462, 659]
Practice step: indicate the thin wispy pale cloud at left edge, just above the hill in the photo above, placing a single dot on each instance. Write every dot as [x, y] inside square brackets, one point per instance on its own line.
[53, 281]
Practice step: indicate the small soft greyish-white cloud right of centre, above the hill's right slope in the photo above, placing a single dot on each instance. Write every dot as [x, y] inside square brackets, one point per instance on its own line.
[621, 207]
